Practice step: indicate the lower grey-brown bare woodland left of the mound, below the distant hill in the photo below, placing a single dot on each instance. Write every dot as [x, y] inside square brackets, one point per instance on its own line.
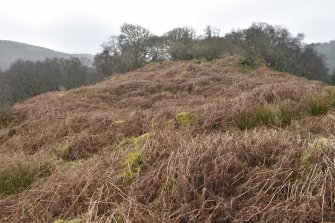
[25, 79]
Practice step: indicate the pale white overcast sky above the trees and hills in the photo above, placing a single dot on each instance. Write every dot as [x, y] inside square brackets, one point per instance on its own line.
[80, 26]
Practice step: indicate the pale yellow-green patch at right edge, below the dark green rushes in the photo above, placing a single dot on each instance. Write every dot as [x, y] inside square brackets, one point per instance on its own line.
[313, 148]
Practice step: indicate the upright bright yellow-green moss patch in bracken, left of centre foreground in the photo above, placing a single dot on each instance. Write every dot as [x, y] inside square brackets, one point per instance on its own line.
[131, 164]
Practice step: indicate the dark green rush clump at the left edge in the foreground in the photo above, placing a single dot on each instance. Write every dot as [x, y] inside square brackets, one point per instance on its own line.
[16, 178]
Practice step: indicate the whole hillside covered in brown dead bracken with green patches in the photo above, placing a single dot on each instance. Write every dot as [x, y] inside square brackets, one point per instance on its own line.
[173, 142]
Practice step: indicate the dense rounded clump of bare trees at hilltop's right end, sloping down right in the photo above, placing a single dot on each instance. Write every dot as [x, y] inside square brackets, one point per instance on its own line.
[279, 49]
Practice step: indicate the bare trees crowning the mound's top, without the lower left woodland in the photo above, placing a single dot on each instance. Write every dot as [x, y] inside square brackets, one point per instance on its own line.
[274, 46]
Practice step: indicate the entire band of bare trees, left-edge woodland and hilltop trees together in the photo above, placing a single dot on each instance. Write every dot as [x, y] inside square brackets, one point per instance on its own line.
[136, 46]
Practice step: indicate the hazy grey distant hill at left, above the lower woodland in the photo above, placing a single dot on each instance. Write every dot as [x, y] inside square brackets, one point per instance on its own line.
[11, 51]
